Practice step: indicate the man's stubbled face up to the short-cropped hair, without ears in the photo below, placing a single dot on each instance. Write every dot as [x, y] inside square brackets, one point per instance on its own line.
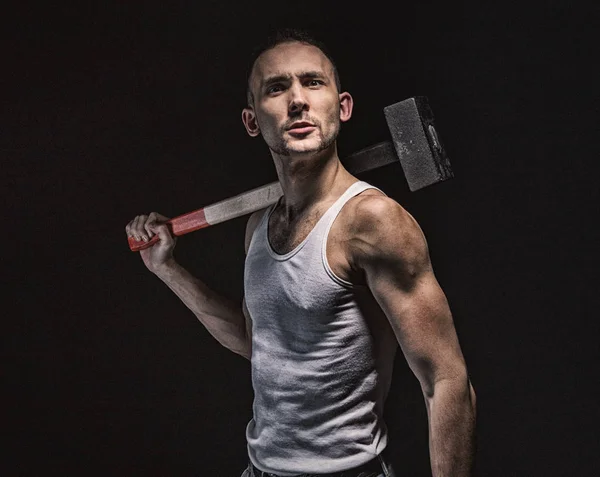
[296, 102]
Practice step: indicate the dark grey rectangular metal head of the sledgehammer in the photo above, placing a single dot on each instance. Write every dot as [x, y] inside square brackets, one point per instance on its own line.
[417, 144]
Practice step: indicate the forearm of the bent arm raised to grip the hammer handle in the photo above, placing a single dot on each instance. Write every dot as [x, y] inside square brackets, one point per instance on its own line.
[223, 318]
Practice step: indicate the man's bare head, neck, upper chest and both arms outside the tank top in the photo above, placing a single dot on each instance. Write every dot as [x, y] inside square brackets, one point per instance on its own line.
[297, 109]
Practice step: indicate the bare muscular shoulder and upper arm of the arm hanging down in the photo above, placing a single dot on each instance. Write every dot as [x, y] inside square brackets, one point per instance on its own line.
[395, 258]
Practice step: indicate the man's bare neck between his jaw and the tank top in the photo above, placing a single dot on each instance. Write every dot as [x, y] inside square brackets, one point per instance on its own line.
[309, 179]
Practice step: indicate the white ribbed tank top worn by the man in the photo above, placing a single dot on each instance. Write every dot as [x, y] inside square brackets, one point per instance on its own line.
[322, 357]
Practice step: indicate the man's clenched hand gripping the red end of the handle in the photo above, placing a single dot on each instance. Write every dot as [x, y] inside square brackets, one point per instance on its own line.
[144, 227]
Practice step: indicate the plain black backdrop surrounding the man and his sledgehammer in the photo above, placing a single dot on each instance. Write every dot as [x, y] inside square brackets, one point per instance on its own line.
[112, 109]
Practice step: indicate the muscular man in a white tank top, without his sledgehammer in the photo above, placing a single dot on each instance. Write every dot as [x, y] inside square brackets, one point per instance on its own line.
[337, 274]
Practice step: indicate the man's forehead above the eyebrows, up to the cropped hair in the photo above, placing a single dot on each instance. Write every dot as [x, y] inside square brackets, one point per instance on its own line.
[290, 58]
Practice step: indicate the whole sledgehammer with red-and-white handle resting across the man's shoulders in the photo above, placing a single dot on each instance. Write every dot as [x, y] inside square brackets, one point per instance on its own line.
[414, 142]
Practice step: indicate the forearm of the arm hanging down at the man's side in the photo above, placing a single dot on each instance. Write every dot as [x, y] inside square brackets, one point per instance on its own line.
[452, 418]
